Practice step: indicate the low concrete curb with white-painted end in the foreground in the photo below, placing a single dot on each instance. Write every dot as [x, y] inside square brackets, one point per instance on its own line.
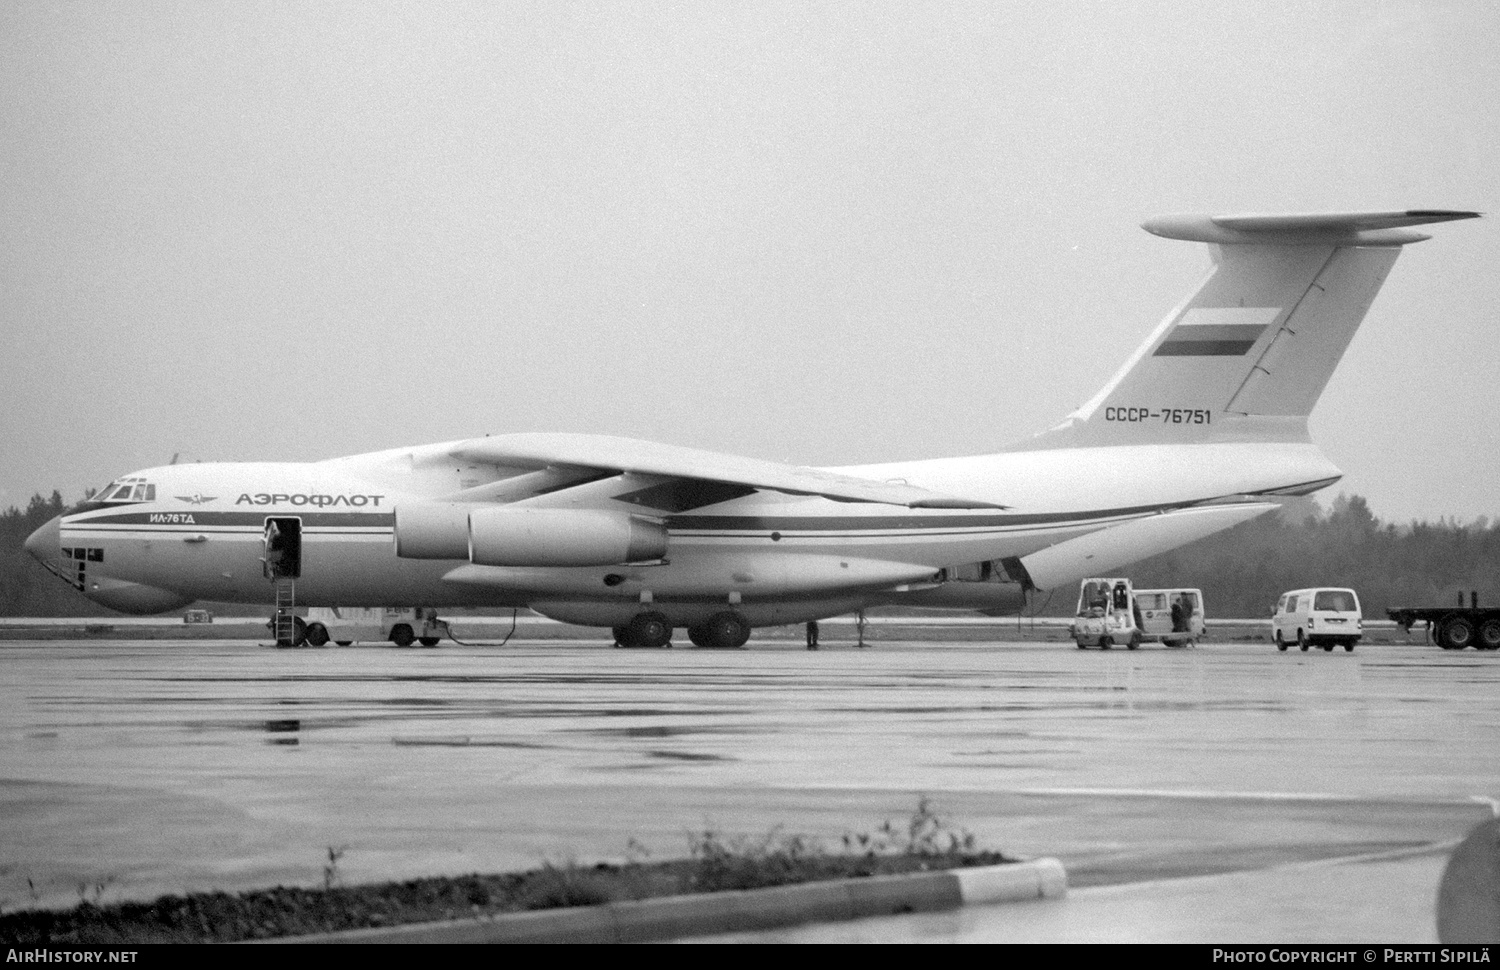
[670, 918]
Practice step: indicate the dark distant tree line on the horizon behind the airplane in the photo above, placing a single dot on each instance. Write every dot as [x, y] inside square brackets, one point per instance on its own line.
[1241, 572]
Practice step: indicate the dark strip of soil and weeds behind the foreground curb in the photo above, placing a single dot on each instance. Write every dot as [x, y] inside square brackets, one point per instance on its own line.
[716, 863]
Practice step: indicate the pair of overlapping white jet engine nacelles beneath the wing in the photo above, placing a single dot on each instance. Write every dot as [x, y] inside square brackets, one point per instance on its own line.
[529, 537]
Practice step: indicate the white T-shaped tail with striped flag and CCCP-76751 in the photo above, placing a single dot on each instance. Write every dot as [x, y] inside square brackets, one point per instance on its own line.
[1249, 355]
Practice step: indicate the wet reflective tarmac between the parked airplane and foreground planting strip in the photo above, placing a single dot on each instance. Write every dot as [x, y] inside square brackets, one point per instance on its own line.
[215, 765]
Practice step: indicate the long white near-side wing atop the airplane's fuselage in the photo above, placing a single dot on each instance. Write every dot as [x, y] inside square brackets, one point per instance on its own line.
[614, 455]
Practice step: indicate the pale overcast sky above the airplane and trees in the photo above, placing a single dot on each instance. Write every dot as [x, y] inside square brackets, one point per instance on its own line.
[815, 233]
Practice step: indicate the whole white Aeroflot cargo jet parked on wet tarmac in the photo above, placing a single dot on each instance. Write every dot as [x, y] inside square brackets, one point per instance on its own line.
[1202, 430]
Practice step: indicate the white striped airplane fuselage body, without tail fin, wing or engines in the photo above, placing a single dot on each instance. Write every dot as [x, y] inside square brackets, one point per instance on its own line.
[778, 558]
